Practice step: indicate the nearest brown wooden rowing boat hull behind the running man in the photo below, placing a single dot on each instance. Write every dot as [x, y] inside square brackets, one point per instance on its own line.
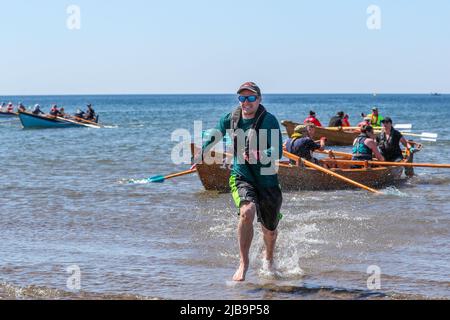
[214, 177]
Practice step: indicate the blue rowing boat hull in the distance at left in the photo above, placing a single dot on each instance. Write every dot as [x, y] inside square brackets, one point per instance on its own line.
[30, 121]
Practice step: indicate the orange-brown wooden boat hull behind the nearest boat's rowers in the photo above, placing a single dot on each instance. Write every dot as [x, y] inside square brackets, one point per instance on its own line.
[335, 136]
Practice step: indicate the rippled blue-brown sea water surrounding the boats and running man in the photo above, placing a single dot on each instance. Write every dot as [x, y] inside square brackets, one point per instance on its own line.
[64, 203]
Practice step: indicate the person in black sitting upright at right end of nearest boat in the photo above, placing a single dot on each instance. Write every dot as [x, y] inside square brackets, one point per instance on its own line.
[389, 142]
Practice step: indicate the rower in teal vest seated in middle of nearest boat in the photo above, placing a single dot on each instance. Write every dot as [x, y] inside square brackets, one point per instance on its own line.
[365, 145]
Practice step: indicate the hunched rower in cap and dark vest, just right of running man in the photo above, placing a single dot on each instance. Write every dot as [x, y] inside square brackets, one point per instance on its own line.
[302, 144]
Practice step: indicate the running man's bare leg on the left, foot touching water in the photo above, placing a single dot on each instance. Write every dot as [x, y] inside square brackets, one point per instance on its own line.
[245, 237]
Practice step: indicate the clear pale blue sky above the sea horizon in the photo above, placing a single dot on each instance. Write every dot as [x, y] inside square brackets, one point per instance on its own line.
[200, 46]
